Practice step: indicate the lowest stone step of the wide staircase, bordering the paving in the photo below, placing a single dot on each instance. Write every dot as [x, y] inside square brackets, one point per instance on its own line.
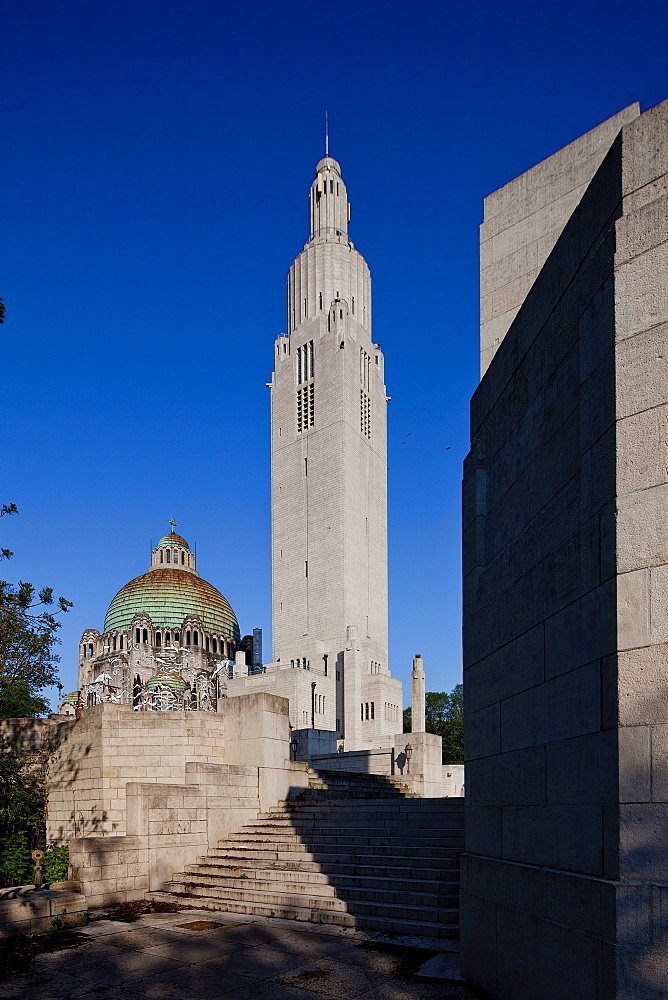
[395, 923]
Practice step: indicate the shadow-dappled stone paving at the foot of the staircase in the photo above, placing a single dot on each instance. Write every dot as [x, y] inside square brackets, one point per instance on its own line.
[239, 958]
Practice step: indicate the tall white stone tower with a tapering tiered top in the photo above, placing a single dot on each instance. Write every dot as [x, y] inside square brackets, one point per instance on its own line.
[329, 479]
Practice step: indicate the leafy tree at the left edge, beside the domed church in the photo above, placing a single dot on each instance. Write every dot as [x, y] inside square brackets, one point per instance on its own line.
[27, 636]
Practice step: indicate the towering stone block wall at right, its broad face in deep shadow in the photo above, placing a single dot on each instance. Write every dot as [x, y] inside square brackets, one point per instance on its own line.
[565, 878]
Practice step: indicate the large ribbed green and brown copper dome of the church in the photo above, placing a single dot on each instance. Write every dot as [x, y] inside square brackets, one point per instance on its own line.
[167, 596]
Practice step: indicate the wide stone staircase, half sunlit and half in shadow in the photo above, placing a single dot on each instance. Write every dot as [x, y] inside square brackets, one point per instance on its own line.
[354, 849]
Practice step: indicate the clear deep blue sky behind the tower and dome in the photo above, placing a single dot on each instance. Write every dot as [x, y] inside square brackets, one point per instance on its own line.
[158, 156]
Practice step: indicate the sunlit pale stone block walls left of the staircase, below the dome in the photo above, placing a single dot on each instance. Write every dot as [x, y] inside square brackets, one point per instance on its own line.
[139, 794]
